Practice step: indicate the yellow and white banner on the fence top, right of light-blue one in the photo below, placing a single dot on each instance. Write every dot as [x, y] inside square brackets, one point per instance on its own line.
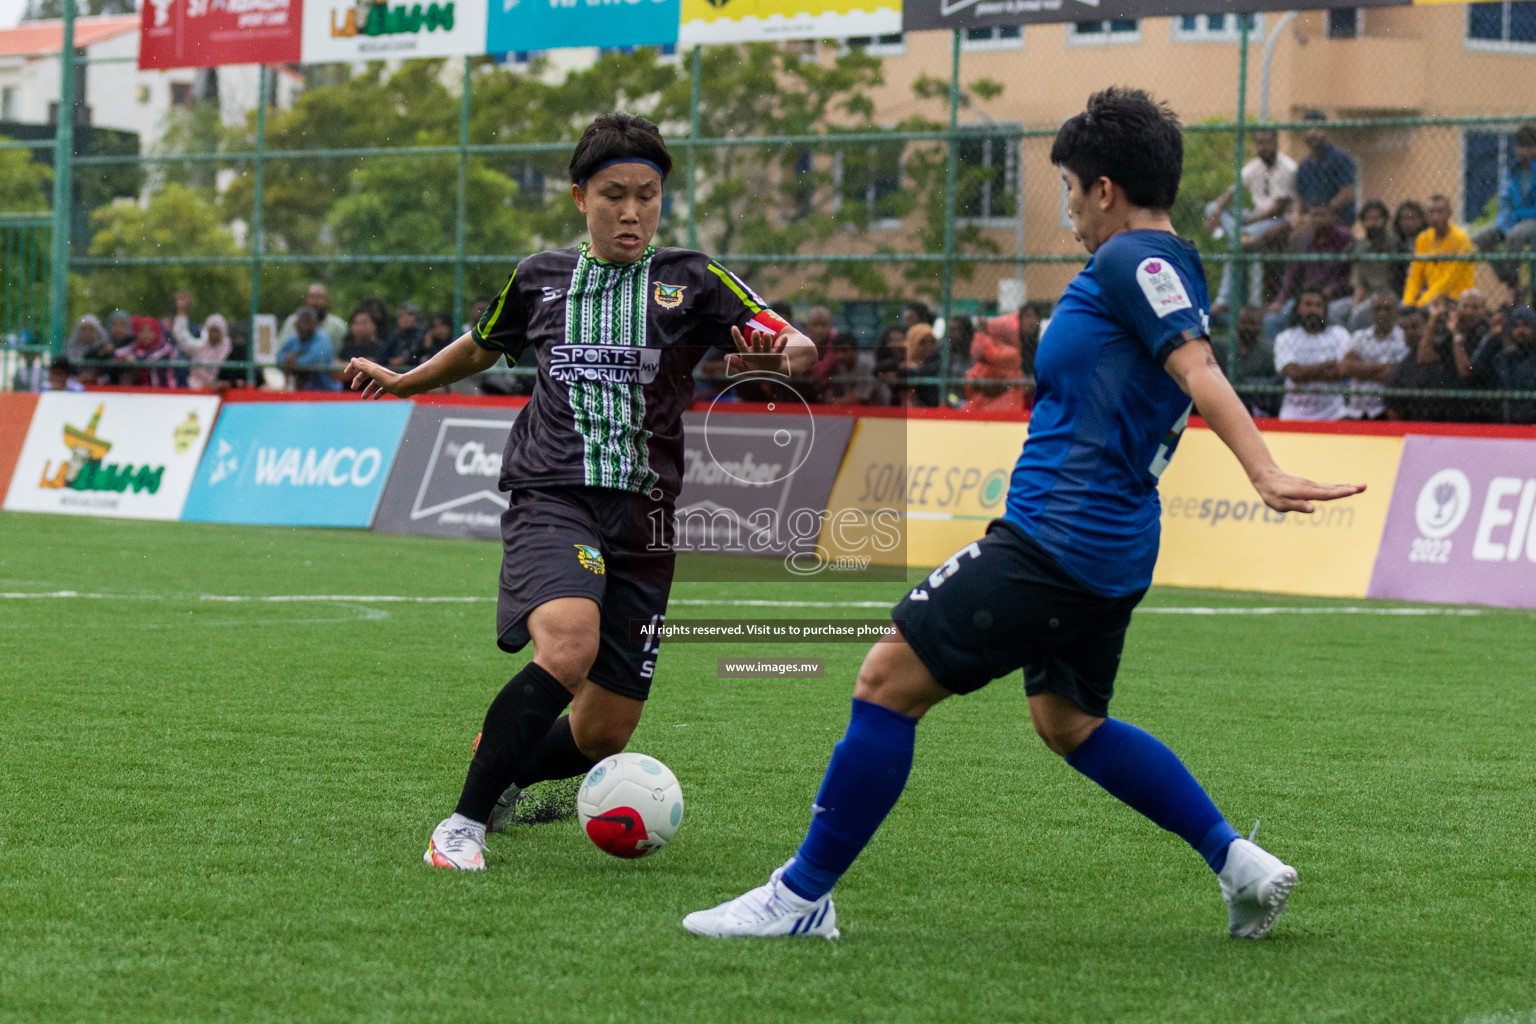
[761, 21]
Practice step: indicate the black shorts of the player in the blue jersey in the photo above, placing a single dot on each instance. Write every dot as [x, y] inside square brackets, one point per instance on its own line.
[1002, 604]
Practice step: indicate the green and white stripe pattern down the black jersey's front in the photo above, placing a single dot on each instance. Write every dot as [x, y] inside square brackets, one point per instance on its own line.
[606, 306]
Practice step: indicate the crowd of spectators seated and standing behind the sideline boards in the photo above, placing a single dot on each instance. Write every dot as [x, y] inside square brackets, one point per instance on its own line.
[1359, 312]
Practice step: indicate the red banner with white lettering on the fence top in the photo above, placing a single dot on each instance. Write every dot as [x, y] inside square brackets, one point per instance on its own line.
[213, 33]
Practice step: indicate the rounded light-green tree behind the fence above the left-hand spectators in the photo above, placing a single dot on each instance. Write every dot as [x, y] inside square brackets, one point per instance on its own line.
[179, 223]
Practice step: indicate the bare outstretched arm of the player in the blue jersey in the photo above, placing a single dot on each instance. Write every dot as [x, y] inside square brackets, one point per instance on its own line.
[1196, 369]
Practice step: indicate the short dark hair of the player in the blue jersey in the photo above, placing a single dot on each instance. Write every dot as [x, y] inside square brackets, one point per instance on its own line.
[1128, 137]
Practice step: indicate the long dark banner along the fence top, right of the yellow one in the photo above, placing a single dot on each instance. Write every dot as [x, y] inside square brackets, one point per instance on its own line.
[964, 15]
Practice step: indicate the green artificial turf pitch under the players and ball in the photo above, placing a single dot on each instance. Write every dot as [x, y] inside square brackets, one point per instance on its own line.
[217, 810]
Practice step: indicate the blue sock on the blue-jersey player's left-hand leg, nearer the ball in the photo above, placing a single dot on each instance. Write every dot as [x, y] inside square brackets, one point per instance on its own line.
[864, 781]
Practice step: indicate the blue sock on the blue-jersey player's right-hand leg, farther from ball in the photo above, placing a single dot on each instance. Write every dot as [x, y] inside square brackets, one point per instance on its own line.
[1140, 771]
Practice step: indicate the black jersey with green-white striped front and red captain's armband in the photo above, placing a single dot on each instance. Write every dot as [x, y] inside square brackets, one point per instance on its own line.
[617, 348]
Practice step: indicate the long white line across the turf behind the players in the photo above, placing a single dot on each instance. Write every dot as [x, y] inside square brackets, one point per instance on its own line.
[405, 600]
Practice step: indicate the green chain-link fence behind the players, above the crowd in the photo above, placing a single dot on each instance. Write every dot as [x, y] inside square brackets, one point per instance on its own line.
[827, 174]
